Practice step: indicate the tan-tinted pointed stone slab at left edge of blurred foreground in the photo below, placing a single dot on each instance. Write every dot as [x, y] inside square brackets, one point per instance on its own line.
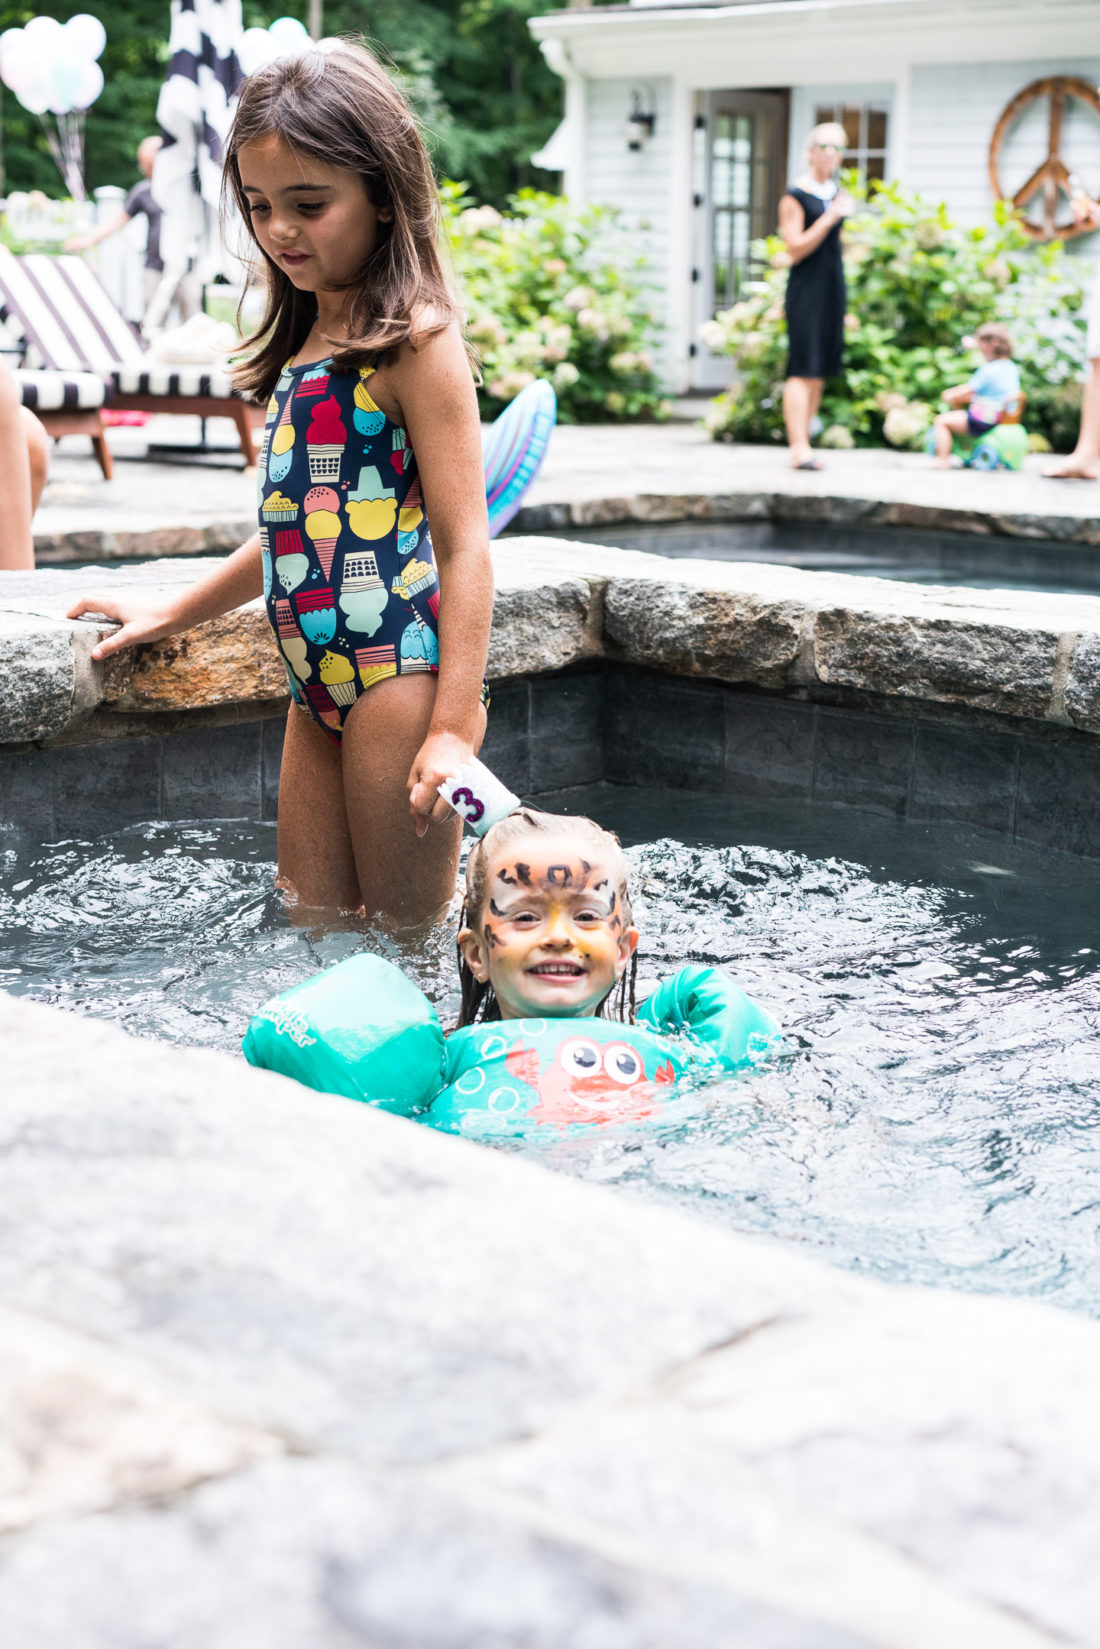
[87, 1431]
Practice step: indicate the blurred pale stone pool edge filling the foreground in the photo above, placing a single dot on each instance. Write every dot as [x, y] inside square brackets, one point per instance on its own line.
[283, 1369]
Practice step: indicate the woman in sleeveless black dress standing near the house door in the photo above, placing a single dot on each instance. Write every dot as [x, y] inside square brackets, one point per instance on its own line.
[811, 217]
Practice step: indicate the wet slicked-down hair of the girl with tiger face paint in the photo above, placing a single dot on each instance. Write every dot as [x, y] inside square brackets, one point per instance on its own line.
[479, 1000]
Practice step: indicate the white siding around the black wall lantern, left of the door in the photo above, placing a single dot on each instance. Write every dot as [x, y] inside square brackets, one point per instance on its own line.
[637, 182]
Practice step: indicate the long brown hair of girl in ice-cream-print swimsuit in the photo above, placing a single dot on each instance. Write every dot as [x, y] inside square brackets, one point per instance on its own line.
[339, 106]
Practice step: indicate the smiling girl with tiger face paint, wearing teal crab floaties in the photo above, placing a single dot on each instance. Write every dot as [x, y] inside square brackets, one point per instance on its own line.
[548, 1036]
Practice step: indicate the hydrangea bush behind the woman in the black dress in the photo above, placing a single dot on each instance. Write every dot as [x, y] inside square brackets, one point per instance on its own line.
[918, 284]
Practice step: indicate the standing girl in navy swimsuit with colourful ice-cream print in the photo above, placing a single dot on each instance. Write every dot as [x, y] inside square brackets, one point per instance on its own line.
[372, 426]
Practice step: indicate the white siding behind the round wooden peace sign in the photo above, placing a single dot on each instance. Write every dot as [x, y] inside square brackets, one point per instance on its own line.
[954, 110]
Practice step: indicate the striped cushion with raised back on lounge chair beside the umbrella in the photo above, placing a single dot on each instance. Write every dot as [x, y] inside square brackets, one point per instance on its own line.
[68, 324]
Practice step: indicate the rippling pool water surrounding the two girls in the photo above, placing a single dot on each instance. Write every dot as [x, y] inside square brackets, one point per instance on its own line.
[938, 1112]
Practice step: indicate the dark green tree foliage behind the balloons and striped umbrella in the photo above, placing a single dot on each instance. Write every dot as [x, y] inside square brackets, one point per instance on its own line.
[471, 68]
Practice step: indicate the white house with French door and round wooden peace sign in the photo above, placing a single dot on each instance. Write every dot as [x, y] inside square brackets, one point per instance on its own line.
[692, 115]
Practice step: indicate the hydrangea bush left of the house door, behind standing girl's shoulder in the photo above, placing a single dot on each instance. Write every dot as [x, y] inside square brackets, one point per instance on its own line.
[557, 293]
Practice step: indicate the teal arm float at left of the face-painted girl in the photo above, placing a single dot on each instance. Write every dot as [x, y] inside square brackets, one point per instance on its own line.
[360, 1030]
